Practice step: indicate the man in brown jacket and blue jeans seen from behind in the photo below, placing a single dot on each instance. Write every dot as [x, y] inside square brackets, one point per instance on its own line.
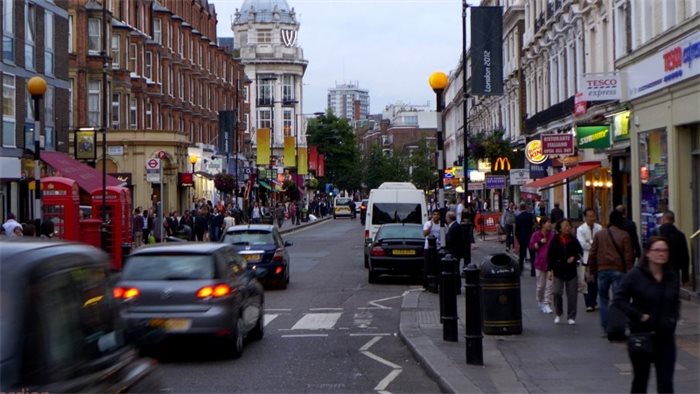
[610, 256]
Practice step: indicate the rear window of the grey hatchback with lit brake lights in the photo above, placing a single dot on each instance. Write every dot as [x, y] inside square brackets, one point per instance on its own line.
[169, 267]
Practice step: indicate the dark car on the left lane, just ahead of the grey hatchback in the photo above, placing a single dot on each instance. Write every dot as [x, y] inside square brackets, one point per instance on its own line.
[263, 247]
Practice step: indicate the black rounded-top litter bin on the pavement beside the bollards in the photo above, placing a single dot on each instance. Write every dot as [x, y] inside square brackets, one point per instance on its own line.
[500, 296]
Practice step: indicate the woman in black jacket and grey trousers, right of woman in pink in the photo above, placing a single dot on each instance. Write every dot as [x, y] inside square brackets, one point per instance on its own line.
[563, 256]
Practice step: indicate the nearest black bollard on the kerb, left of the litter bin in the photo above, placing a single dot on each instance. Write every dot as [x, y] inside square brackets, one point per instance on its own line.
[472, 307]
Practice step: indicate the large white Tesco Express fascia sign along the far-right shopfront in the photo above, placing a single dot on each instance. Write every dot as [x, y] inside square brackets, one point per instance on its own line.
[665, 67]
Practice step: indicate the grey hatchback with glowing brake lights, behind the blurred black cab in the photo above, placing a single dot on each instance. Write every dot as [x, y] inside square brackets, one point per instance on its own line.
[190, 289]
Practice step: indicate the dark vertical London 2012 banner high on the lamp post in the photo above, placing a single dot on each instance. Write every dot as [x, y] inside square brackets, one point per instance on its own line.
[487, 51]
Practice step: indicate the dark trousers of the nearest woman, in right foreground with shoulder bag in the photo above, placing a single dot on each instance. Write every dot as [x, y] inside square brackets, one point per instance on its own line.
[664, 359]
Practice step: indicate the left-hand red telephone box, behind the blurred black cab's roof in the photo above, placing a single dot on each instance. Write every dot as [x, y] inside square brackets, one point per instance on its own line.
[60, 201]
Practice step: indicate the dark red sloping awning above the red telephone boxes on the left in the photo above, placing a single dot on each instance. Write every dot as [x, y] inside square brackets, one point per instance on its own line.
[89, 179]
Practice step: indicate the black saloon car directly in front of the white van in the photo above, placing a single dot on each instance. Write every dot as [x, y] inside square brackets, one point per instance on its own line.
[397, 249]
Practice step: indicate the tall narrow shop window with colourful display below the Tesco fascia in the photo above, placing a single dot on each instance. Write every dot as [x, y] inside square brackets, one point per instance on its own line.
[653, 169]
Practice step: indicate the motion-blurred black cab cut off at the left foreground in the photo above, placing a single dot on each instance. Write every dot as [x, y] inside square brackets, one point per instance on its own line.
[59, 329]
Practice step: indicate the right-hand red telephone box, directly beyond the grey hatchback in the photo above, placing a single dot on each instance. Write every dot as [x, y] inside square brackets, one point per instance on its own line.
[116, 231]
